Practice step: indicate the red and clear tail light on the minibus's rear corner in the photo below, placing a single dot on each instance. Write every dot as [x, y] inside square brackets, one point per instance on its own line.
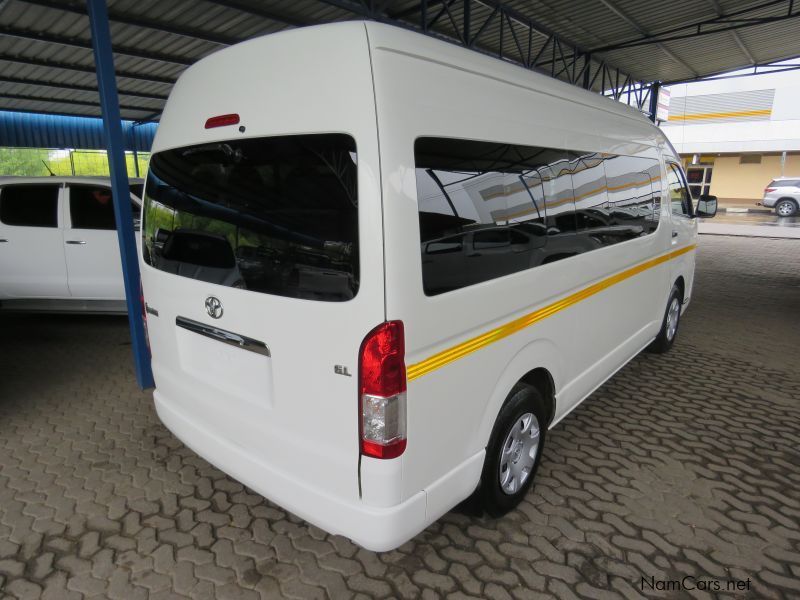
[382, 391]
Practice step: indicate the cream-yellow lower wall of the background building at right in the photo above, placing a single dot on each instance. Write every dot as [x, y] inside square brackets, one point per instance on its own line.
[731, 179]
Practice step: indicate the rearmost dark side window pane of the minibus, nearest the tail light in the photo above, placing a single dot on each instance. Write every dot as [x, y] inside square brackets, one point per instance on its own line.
[481, 211]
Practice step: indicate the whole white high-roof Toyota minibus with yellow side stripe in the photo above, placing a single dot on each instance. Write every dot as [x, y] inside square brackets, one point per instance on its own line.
[378, 267]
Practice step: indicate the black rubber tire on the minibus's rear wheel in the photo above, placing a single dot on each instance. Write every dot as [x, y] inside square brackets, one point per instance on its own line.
[523, 400]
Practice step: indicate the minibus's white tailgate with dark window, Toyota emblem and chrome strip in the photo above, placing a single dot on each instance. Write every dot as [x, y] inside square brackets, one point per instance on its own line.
[263, 274]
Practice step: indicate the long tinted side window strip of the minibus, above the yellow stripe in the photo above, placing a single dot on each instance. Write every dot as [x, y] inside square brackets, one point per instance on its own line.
[489, 209]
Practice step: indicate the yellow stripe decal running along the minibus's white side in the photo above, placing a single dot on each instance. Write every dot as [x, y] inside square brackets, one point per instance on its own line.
[445, 357]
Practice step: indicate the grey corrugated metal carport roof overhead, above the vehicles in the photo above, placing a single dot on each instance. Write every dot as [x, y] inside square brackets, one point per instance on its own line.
[46, 61]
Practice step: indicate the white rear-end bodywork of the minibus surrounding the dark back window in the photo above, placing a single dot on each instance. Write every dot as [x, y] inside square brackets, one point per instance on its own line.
[285, 424]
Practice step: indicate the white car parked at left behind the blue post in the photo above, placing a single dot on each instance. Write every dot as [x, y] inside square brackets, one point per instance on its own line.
[58, 244]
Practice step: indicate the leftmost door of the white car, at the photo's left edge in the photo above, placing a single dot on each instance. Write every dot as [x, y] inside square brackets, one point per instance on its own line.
[31, 247]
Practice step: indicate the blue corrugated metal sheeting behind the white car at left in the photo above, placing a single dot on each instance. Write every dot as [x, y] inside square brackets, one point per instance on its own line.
[57, 131]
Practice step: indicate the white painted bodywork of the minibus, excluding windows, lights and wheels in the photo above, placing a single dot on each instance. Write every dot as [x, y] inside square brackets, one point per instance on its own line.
[287, 425]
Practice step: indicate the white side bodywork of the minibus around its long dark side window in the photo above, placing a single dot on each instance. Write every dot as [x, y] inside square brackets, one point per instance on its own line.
[433, 89]
